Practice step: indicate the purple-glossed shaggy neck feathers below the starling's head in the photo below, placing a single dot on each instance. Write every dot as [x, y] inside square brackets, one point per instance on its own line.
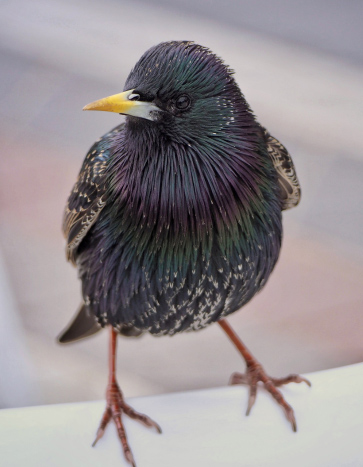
[177, 189]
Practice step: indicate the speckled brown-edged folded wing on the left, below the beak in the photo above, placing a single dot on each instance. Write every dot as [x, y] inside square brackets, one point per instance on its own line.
[88, 196]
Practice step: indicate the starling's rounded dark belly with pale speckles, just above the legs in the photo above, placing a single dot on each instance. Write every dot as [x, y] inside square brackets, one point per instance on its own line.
[163, 300]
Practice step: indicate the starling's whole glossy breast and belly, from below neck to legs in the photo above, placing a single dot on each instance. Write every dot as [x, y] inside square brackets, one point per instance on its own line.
[178, 245]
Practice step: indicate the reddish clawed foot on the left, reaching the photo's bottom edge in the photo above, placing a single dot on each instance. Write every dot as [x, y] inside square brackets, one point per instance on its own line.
[115, 407]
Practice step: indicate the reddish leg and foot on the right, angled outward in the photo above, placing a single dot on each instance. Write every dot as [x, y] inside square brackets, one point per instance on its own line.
[255, 373]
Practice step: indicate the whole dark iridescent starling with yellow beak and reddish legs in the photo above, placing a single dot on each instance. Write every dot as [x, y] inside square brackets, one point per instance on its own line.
[175, 220]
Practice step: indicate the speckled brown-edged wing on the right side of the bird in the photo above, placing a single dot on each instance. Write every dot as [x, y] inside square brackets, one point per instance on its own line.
[290, 191]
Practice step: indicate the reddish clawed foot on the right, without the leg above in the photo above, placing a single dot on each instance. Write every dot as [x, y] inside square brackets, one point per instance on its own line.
[254, 374]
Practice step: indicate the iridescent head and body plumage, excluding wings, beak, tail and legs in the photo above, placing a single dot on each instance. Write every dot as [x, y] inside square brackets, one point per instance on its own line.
[191, 228]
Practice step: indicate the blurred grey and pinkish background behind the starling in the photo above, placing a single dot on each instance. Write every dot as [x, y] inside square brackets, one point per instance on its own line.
[300, 66]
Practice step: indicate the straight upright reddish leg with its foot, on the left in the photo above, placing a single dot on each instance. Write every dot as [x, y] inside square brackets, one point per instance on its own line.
[116, 405]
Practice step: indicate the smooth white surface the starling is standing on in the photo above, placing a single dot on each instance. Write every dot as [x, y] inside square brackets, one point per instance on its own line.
[201, 428]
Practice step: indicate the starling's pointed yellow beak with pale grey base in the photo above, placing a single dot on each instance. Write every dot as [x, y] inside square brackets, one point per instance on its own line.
[121, 103]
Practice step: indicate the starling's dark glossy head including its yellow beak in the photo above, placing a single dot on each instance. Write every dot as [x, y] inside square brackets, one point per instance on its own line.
[181, 89]
